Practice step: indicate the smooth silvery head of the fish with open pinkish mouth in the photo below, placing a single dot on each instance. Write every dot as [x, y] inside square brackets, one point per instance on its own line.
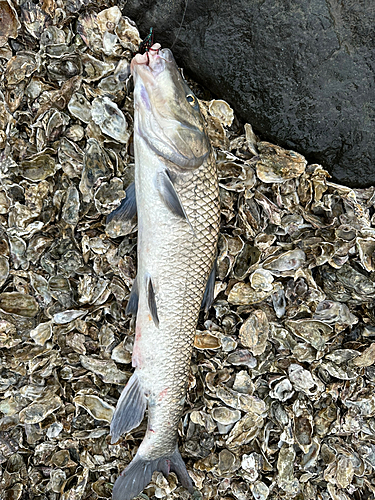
[167, 114]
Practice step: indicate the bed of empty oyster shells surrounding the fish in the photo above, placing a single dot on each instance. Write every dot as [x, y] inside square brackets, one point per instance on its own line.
[281, 401]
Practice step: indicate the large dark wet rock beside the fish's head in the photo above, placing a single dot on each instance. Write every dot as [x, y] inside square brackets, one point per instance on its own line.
[302, 72]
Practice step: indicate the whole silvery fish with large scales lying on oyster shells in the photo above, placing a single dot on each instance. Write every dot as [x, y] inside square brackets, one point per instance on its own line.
[176, 198]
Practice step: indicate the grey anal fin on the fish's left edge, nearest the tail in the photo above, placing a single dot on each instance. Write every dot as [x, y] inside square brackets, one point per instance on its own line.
[130, 408]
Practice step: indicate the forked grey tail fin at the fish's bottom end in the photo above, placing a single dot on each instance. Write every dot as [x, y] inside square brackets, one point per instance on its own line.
[138, 474]
